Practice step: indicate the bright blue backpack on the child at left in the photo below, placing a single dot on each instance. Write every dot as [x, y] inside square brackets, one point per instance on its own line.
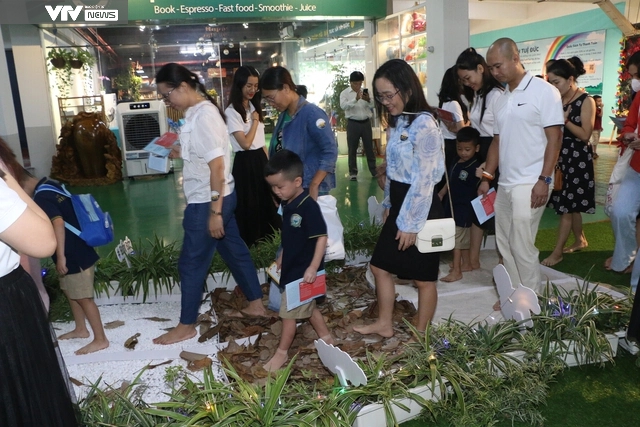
[96, 227]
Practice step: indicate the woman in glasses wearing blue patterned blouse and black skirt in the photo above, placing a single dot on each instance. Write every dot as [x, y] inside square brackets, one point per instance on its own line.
[415, 164]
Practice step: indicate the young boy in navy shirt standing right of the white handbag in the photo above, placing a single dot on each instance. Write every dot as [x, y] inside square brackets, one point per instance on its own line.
[464, 188]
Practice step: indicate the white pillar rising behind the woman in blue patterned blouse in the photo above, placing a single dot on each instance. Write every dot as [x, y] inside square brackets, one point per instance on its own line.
[447, 37]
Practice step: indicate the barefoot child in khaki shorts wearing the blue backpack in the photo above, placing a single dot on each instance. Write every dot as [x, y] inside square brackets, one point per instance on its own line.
[75, 262]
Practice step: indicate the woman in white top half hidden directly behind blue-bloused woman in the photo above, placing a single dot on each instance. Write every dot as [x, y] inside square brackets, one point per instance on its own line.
[450, 99]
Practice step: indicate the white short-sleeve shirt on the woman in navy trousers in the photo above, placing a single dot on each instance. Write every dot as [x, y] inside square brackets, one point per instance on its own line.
[204, 137]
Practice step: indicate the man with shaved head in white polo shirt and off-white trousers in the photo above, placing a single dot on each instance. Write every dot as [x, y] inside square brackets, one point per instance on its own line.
[526, 143]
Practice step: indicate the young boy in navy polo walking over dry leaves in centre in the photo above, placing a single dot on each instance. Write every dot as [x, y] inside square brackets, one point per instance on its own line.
[304, 242]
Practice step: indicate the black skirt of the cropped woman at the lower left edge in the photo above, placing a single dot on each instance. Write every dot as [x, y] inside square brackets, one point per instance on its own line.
[34, 386]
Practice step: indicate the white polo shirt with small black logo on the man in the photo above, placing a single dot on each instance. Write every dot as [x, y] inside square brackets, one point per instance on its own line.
[521, 117]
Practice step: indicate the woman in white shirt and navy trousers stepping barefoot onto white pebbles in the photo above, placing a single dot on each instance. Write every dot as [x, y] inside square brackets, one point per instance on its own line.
[209, 223]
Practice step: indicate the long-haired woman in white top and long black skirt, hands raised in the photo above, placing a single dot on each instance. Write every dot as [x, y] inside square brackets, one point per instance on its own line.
[256, 212]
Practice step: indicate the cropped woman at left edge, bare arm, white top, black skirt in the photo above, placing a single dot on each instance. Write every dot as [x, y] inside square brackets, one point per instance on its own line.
[34, 387]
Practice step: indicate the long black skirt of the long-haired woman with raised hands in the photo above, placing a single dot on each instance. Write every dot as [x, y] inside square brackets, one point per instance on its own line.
[256, 212]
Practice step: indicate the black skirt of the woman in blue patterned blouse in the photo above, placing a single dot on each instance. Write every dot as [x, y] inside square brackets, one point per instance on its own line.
[409, 264]
